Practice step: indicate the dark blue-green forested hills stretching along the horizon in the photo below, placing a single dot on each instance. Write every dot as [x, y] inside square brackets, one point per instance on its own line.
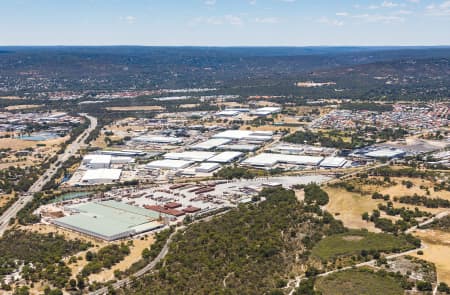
[245, 70]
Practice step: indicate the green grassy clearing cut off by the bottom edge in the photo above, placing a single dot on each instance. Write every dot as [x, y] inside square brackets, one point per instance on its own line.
[358, 282]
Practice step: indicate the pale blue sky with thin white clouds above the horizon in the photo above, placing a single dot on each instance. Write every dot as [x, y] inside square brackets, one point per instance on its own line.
[225, 22]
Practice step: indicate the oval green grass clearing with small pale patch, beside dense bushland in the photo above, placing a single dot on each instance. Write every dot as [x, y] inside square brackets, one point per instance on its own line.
[354, 241]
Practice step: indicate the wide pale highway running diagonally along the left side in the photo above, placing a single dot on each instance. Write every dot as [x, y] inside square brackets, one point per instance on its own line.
[71, 149]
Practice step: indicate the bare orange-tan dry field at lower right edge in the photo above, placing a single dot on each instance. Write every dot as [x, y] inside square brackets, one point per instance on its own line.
[437, 251]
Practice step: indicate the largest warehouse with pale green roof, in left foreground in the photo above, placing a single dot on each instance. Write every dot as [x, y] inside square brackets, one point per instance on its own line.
[109, 220]
